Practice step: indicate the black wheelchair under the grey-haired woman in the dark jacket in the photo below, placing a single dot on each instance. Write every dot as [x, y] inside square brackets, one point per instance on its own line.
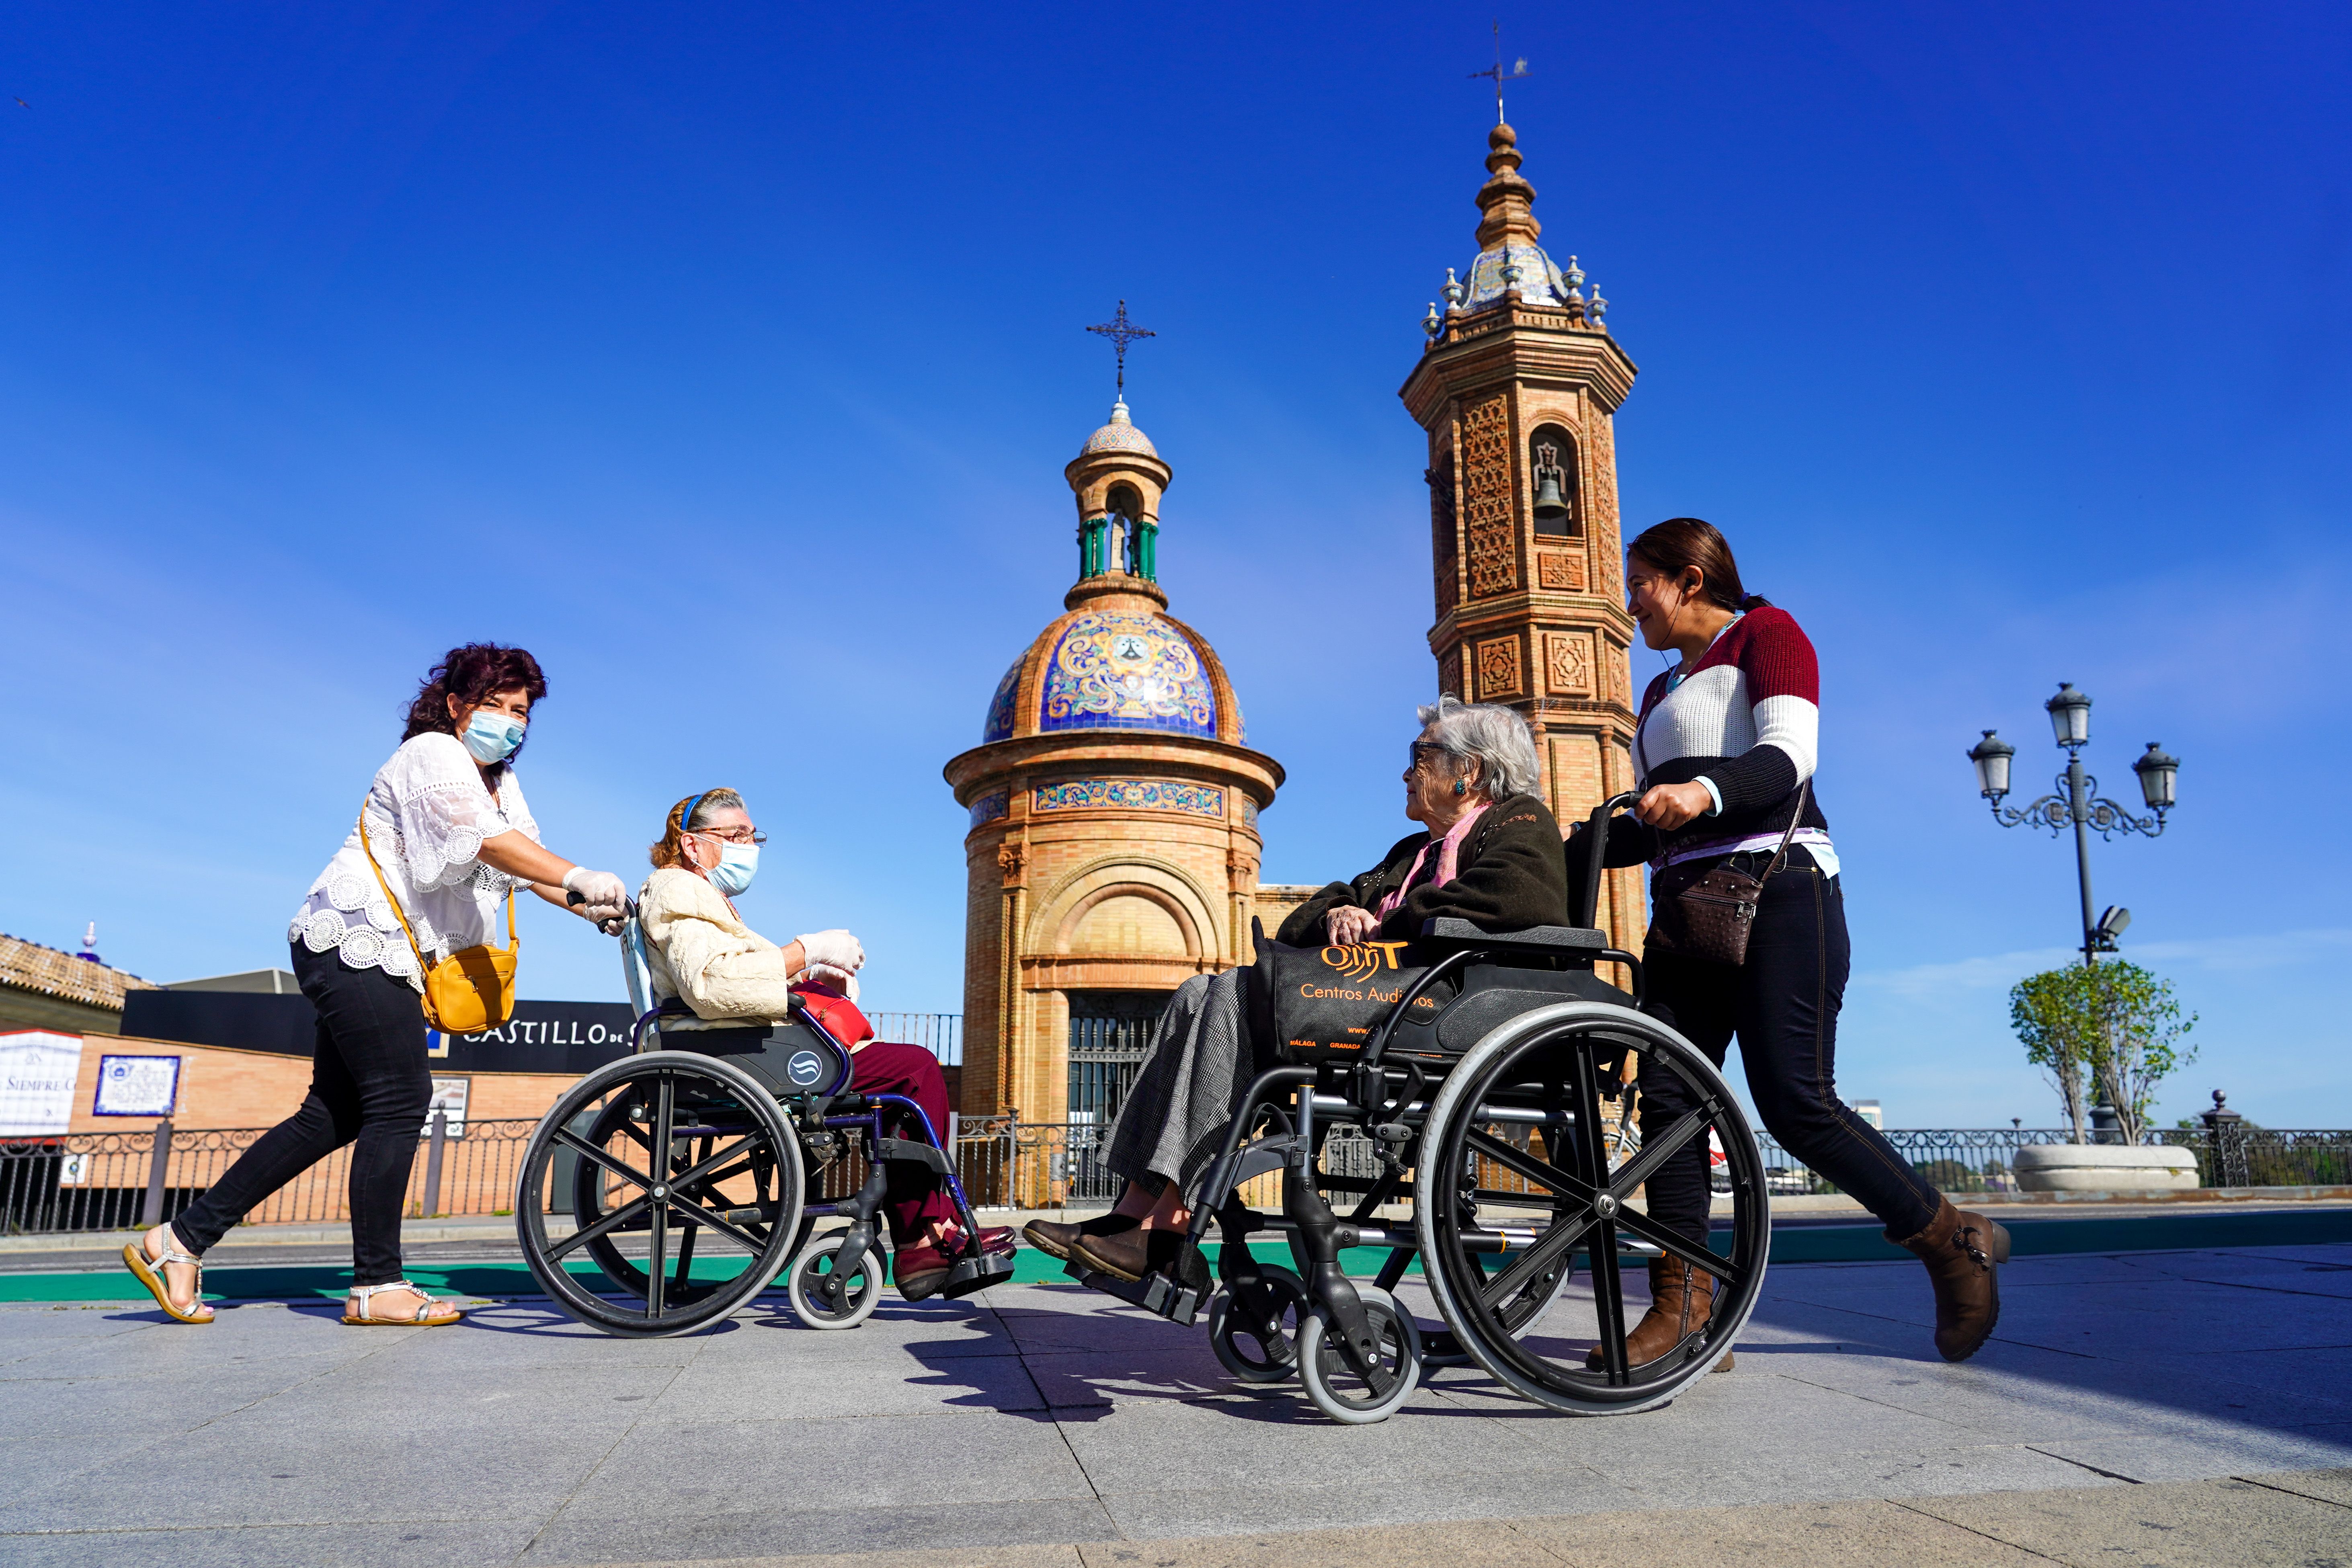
[1492, 1165]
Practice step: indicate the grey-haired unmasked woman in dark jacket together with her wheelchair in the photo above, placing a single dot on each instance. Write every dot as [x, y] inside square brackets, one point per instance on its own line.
[1431, 1045]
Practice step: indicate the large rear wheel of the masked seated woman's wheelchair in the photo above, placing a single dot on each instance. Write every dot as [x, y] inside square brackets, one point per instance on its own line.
[686, 1193]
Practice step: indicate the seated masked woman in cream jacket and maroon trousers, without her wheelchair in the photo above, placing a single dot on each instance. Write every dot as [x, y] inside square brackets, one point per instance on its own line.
[707, 960]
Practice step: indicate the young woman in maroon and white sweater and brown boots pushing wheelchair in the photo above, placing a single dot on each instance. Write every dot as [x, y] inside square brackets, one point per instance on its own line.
[1725, 760]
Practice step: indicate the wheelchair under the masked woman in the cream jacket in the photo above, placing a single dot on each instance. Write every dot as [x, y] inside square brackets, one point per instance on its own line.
[688, 1170]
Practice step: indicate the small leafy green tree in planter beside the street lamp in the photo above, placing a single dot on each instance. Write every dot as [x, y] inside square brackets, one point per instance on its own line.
[2113, 1026]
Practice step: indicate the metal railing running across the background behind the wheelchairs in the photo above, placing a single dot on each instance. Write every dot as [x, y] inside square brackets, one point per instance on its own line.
[114, 1181]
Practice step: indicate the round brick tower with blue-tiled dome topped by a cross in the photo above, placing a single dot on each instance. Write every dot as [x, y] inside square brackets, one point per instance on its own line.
[1114, 843]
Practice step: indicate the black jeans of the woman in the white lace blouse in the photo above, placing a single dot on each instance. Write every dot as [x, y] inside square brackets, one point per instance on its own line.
[370, 1087]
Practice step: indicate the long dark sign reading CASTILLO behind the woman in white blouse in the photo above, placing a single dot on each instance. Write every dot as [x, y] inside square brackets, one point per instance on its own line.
[540, 1038]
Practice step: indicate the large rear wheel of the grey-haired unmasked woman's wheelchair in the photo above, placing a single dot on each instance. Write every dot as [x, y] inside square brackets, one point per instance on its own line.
[1551, 1064]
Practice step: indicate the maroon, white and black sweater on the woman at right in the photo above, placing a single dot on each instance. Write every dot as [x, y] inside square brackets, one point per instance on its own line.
[1746, 725]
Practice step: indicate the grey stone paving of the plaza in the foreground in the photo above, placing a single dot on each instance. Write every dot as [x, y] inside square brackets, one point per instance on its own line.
[2134, 1409]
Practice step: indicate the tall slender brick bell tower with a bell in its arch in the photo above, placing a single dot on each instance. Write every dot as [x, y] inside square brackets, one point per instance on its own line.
[1516, 389]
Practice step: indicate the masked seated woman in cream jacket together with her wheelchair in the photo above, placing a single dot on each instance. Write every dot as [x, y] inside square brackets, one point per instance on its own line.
[763, 1064]
